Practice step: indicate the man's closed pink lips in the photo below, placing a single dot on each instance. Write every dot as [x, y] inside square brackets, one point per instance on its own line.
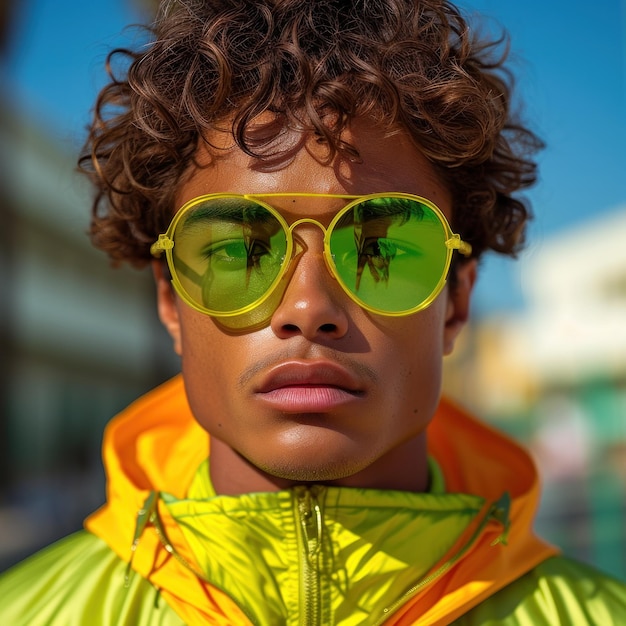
[299, 387]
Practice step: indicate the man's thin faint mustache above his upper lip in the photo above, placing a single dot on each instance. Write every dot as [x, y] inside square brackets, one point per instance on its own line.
[312, 354]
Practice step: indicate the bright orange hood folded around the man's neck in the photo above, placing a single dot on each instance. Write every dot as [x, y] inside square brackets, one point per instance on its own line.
[156, 446]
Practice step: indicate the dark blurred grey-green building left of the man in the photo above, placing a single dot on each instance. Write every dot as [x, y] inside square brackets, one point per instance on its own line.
[79, 341]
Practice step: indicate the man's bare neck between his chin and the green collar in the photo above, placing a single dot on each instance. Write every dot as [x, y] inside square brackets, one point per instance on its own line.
[404, 468]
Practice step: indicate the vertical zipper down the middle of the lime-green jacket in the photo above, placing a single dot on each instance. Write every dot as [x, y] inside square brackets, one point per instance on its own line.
[309, 514]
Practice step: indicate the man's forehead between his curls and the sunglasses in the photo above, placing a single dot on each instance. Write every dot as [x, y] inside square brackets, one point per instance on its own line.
[298, 162]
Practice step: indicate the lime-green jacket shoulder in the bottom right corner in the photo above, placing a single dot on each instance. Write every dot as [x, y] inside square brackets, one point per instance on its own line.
[557, 591]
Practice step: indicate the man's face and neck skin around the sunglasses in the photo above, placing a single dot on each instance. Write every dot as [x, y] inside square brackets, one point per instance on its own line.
[326, 391]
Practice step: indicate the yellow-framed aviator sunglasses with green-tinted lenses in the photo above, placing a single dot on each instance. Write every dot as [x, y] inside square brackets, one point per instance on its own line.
[228, 253]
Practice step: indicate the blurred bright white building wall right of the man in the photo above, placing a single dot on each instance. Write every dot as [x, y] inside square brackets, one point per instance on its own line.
[576, 291]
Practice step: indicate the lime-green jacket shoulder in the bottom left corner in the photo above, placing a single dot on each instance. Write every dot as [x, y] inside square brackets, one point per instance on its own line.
[79, 580]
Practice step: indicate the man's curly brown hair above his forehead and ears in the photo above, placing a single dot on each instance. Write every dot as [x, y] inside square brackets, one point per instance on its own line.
[411, 64]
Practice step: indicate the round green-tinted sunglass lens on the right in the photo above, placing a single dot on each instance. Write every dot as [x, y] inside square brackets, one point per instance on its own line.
[390, 253]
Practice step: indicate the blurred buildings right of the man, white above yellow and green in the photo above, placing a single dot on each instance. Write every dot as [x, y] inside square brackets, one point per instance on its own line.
[554, 375]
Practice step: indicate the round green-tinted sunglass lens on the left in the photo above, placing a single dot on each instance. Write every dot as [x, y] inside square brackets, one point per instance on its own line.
[228, 253]
